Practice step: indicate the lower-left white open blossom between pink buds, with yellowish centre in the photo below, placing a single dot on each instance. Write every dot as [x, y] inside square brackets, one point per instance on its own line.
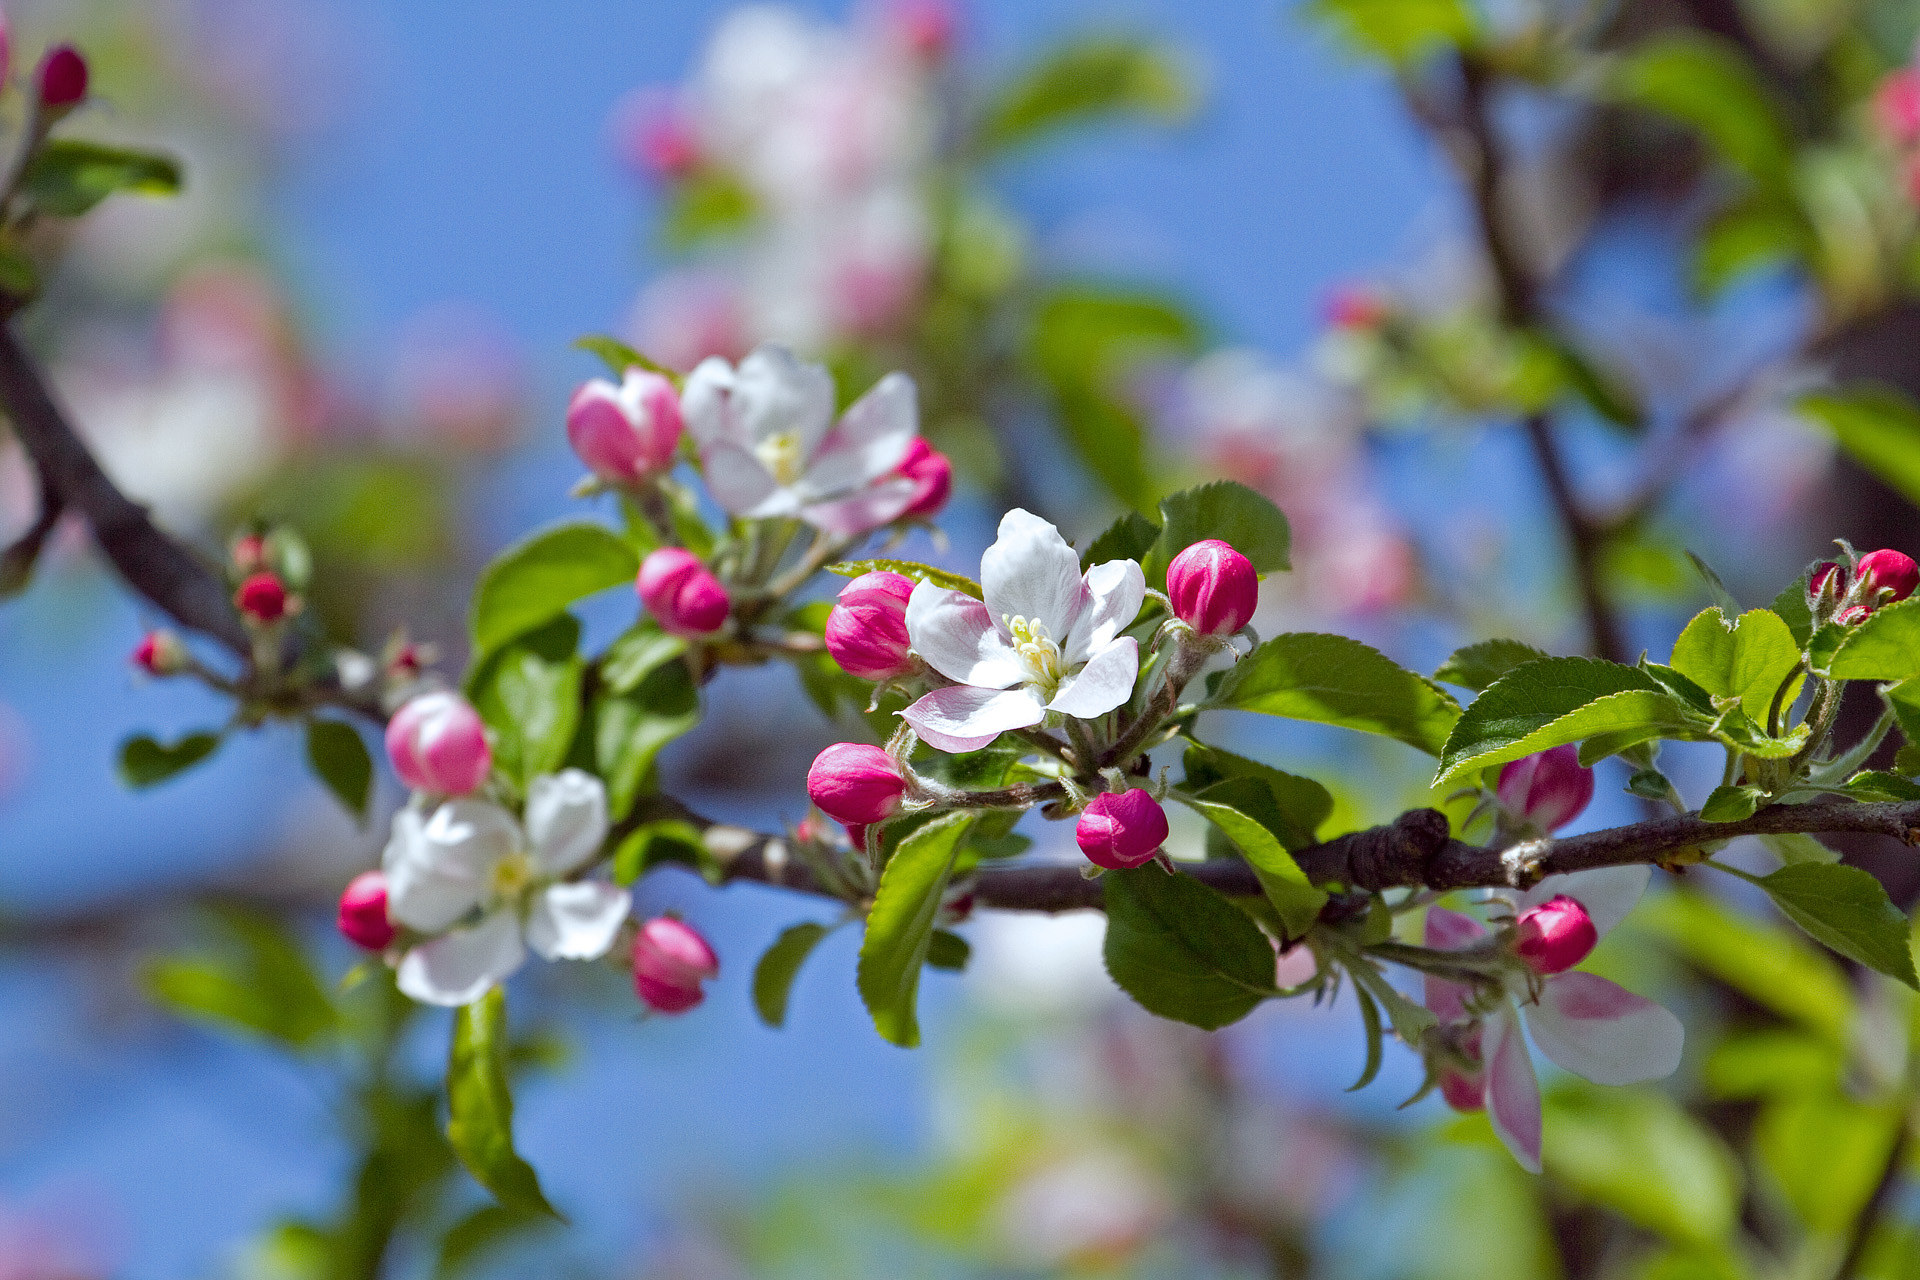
[473, 855]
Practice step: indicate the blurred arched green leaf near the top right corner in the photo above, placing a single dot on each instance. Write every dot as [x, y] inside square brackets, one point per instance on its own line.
[1712, 87]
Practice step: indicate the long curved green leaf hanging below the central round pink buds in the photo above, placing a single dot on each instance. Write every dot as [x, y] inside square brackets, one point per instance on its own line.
[901, 926]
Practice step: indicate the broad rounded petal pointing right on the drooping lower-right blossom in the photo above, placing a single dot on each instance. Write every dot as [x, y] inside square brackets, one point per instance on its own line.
[1604, 1031]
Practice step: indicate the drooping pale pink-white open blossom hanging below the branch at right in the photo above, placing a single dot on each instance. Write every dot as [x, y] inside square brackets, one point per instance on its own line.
[1581, 1022]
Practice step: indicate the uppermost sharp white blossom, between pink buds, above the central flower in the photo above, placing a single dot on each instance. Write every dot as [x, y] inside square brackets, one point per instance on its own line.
[771, 448]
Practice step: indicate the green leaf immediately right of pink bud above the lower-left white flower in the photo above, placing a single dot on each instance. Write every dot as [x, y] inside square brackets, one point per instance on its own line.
[529, 696]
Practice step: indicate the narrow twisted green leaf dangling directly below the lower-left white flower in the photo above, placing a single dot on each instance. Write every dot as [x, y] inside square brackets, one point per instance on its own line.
[481, 1106]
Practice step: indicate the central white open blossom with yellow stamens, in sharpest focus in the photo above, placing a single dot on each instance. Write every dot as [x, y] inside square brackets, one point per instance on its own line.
[1047, 640]
